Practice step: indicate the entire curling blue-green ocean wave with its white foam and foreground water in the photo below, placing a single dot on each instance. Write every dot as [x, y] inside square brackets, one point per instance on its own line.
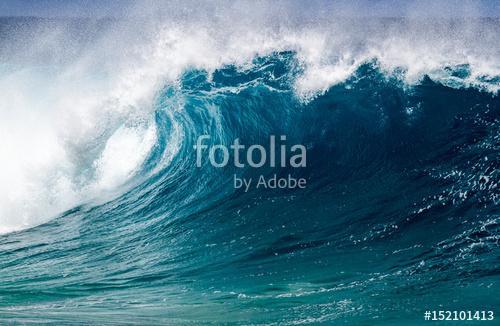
[114, 221]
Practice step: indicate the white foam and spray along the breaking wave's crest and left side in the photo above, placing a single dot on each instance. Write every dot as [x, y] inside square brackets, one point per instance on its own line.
[84, 122]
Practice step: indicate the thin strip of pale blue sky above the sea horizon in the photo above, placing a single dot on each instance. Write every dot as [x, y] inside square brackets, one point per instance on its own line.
[363, 8]
